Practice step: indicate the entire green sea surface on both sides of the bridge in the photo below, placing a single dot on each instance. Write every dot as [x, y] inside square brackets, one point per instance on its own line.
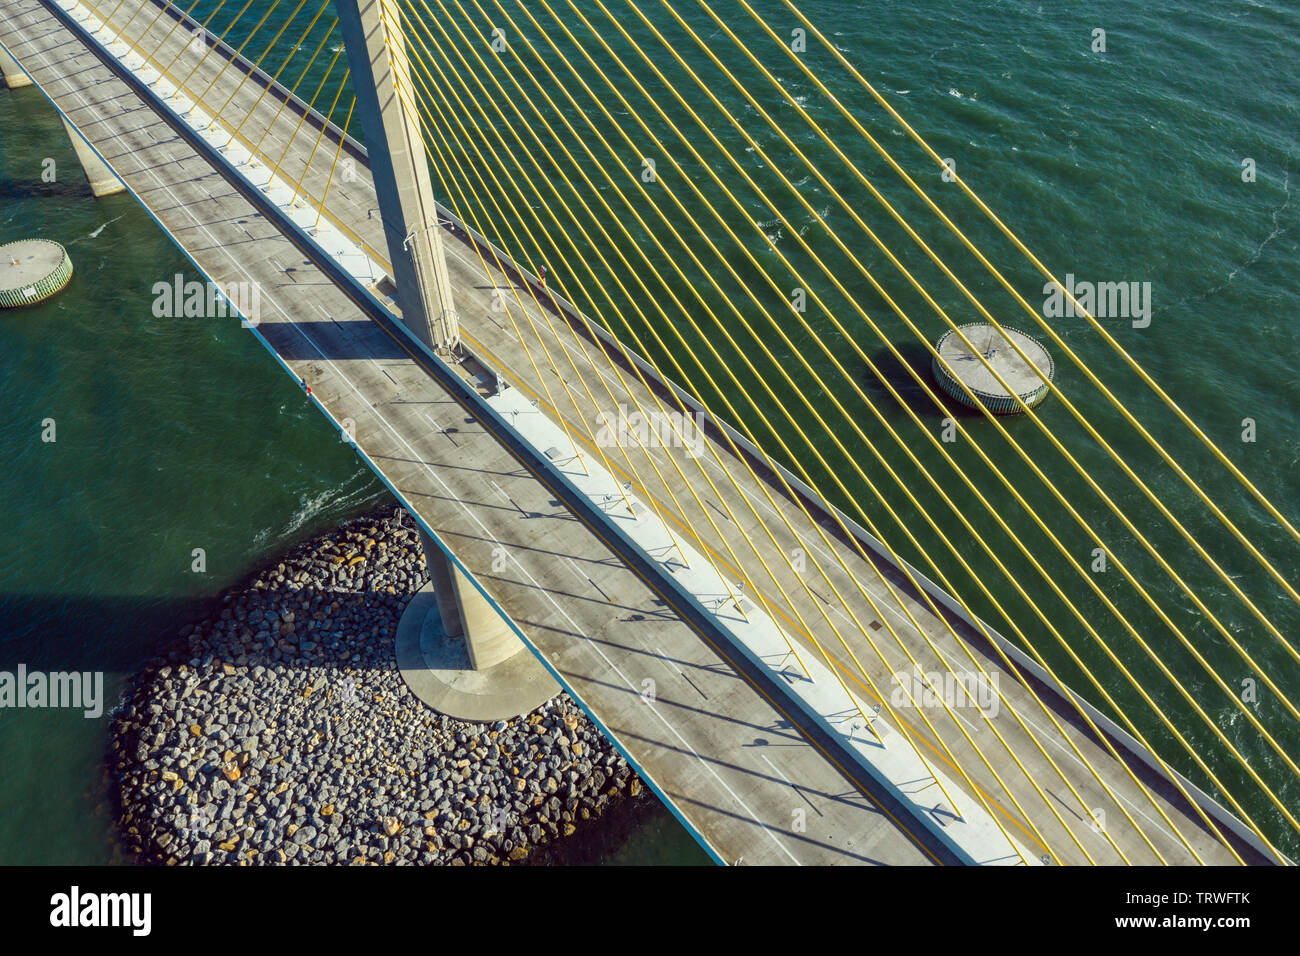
[1121, 165]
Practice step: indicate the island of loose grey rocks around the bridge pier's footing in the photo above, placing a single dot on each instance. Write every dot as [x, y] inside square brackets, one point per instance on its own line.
[279, 730]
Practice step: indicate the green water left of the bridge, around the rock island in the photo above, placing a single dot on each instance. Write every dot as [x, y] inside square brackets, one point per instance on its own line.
[170, 436]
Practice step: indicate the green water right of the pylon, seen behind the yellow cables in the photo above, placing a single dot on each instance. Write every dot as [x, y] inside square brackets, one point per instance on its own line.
[1116, 166]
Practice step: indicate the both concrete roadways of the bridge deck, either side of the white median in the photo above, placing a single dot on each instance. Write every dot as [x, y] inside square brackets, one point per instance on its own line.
[723, 754]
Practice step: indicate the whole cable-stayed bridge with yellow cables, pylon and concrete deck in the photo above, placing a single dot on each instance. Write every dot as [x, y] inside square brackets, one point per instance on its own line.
[791, 686]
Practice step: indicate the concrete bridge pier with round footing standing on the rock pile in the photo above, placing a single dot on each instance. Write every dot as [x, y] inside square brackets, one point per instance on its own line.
[458, 654]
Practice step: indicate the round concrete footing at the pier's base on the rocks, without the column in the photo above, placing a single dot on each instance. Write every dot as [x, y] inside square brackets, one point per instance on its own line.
[436, 668]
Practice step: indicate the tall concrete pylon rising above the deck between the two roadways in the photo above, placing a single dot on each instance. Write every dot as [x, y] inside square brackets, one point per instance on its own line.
[385, 100]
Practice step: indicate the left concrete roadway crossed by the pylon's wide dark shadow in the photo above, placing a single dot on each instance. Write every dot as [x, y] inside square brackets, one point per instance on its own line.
[721, 752]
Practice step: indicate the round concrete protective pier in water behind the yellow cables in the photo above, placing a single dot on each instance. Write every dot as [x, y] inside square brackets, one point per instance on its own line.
[956, 365]
